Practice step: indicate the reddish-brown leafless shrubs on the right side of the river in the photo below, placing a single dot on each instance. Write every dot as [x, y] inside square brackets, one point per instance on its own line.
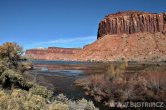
[117, 86]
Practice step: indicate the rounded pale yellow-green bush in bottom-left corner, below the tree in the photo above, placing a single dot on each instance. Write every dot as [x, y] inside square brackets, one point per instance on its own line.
[21, 100]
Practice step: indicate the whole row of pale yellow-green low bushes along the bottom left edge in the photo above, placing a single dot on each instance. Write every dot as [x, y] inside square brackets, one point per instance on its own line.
[22, 100]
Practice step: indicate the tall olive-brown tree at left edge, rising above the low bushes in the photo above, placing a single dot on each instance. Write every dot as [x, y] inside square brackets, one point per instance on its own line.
[12, 67]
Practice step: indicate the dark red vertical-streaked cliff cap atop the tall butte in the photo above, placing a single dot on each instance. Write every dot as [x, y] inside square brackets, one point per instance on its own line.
[132, 22]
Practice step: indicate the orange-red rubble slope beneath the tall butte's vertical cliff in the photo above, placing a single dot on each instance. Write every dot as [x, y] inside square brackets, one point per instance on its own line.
[135, 47]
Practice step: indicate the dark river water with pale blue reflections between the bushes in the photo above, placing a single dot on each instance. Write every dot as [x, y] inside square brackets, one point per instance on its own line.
[59, 76]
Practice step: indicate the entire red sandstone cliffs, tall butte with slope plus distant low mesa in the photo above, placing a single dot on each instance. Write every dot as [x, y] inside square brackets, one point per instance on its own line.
[131, 35]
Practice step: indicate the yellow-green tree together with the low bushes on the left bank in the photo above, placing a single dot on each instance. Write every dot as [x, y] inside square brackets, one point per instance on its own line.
[18, 90]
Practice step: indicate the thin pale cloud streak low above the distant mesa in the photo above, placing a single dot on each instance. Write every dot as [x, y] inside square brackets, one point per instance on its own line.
[67, 42]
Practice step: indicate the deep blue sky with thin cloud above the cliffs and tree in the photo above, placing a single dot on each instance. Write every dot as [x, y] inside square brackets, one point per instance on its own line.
[62, 23]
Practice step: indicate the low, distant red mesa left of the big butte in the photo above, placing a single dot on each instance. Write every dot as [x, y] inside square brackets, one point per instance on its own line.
[52, 53]
